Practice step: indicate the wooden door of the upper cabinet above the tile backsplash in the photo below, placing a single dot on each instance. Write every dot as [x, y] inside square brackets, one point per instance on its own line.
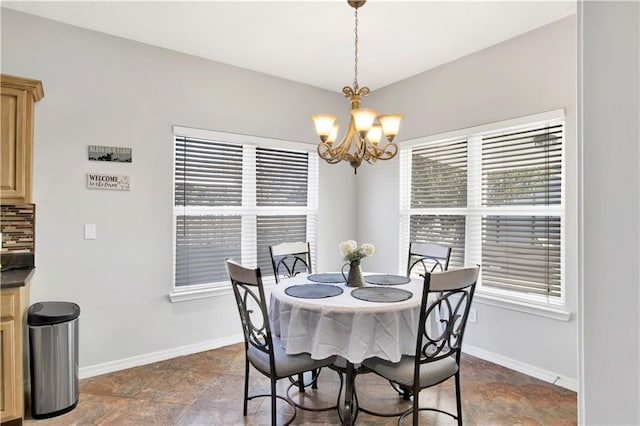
[15, 155]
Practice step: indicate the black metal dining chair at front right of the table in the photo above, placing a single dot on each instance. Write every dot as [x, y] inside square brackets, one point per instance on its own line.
[438, 349]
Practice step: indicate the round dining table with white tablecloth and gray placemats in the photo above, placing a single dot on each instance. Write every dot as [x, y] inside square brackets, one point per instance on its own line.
[320, 315]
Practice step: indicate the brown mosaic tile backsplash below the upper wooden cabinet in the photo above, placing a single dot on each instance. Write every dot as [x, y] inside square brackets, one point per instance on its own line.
[17, 222]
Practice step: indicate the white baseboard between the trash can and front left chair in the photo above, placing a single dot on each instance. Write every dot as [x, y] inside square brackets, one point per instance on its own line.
[136, 361]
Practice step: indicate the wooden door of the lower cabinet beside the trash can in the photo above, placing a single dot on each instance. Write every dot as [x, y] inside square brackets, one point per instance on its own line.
[8, 398]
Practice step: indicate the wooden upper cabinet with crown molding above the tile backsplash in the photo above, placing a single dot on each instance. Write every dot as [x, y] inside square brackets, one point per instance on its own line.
[19, 96]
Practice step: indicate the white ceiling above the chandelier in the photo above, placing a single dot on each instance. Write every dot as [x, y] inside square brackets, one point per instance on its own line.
[312, 42]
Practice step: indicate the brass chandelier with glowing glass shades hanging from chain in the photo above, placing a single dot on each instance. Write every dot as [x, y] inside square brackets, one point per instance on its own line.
[366, 128]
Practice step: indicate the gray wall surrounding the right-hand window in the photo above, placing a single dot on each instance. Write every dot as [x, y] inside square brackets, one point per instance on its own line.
[530, 74]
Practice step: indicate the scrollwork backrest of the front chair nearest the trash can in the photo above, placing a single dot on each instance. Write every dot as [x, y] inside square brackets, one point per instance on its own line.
[249, 293]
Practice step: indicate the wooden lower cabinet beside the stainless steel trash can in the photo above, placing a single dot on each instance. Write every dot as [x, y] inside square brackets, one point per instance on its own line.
[12, 326]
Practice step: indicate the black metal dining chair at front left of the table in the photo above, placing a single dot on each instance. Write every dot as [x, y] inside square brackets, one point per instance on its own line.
[263, 350]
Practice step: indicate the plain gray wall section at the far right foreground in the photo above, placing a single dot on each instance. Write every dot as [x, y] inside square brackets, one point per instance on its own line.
[610, 123]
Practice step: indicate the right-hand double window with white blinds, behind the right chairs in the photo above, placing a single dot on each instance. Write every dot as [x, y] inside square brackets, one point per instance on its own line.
[495, 195]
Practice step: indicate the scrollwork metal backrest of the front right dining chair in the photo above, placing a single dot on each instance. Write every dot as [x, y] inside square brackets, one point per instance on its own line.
[446, 300]
